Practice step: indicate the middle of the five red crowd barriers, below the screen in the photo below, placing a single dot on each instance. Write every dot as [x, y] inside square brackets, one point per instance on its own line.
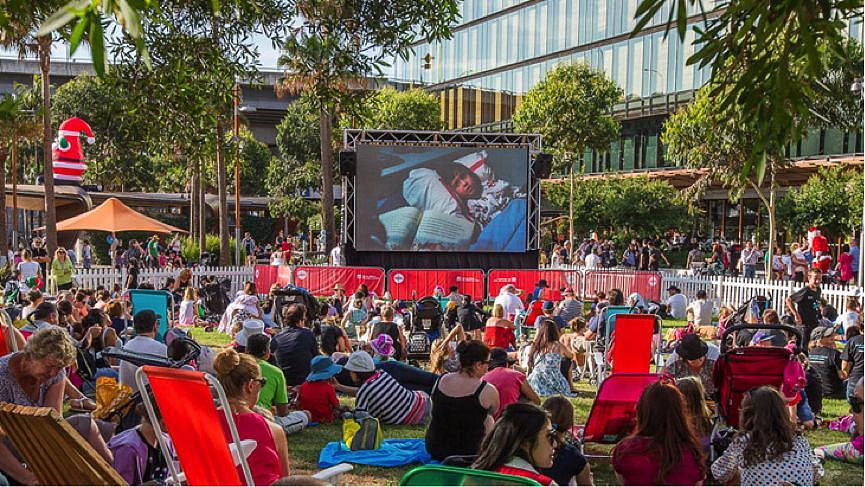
[417, 283]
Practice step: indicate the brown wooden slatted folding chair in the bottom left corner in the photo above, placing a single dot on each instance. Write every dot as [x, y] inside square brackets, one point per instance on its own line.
[53, 451]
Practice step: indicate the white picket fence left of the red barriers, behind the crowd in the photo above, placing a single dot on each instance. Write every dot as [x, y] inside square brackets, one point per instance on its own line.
[105, 276]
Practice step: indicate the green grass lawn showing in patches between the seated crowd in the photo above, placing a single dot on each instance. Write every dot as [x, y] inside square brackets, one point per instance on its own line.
[305, 447]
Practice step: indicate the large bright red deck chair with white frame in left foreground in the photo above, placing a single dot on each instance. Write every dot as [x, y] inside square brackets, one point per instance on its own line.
[186, 406]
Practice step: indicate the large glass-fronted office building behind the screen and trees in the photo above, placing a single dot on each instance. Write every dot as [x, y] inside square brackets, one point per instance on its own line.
[502, 48]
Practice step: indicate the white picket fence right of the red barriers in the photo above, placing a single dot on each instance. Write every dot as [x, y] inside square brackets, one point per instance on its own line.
[734, 291]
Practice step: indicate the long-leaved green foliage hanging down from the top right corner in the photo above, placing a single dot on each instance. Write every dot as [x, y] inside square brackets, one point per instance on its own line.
[769, 60]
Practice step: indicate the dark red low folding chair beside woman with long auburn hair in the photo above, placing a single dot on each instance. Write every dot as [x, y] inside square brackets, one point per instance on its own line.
[614, 412]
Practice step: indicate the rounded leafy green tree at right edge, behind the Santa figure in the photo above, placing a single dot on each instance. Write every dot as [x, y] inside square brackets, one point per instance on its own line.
[831, 199]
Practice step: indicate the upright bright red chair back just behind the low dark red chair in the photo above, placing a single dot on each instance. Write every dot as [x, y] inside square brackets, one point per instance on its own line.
[631, 349]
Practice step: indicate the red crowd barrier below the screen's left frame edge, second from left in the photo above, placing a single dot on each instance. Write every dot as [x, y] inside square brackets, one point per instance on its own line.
[319, 280]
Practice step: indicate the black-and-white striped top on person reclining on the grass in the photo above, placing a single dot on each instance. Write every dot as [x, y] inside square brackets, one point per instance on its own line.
[384, 398]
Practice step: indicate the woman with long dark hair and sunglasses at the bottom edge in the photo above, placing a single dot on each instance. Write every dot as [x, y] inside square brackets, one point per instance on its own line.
[521, 442]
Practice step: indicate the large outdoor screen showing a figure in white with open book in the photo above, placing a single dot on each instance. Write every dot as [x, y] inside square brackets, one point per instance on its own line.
[443, 199]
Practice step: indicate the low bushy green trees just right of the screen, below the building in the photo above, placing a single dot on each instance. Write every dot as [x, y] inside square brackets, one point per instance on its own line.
[625, 207]
